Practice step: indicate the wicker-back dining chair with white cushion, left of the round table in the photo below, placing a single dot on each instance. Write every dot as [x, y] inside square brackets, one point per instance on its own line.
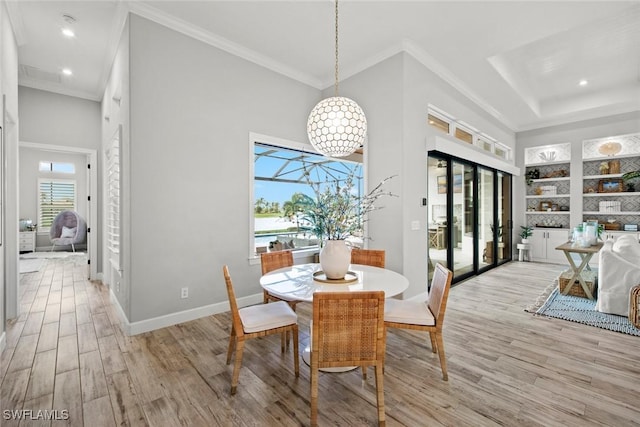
[257, 321]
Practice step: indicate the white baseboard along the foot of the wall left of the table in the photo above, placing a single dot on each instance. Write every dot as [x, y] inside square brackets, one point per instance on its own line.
[135, 328]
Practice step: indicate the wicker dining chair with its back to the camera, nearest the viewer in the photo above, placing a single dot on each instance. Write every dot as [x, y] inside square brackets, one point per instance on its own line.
[348, 330]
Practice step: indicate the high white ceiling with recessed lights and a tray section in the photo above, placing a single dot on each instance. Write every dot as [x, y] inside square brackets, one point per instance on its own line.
[519, 60]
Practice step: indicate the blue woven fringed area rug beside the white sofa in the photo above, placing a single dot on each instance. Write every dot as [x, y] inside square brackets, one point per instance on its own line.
[580, 310]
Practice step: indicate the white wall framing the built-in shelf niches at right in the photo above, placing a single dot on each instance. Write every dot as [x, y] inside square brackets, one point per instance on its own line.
[574, 133]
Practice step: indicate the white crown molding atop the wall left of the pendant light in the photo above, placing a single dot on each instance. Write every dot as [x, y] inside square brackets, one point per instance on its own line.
[181, 26]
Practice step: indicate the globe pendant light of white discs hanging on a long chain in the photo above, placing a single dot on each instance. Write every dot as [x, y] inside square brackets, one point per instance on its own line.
[337, 125]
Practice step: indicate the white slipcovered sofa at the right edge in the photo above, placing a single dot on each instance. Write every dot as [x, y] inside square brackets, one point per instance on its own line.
[619, 271]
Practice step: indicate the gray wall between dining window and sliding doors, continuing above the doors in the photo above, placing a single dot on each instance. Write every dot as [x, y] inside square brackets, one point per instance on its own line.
[395, 95]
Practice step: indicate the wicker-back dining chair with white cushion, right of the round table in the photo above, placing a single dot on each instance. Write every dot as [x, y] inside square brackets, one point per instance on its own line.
[424, 316]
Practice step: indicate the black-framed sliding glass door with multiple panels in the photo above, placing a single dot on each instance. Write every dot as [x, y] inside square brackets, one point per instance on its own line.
[469, 216]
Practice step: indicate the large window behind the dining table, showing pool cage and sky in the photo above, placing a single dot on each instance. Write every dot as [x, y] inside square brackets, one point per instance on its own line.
[283, 178]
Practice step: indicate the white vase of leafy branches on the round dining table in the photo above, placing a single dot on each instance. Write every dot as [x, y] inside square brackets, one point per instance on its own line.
[338, 212]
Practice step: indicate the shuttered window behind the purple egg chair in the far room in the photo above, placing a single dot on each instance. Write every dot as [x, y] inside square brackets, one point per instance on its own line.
[55, 196]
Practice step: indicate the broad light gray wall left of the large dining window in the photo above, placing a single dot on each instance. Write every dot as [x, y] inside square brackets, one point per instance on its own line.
[192, 108]
